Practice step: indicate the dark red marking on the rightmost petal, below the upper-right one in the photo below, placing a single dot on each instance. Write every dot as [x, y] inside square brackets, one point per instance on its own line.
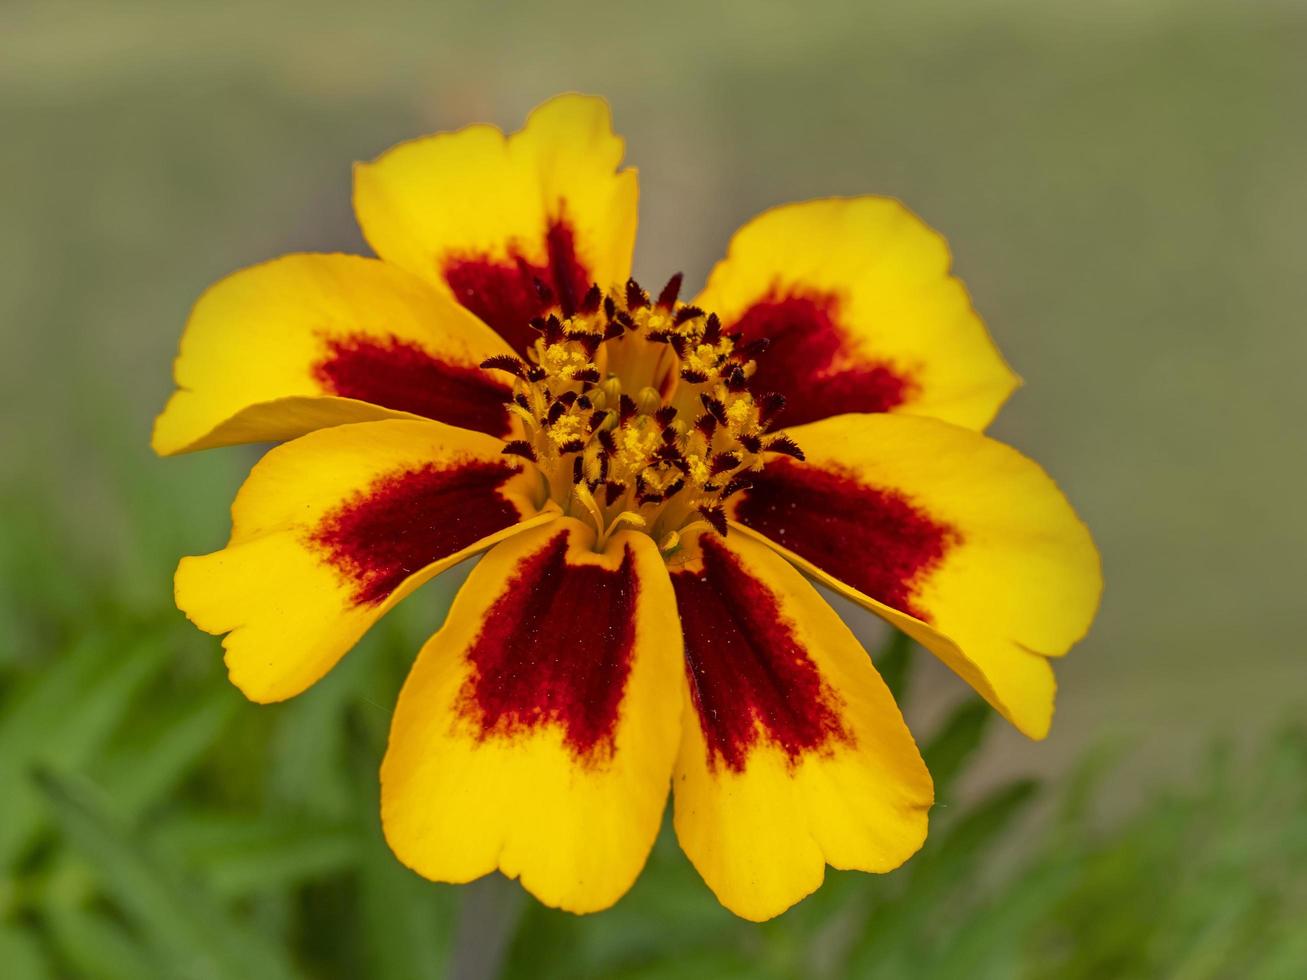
[871, 539]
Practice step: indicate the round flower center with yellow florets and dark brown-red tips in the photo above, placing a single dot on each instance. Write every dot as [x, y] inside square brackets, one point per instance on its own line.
[638, 412]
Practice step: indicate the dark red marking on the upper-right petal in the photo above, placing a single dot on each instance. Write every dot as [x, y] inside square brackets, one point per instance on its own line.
[806, 360]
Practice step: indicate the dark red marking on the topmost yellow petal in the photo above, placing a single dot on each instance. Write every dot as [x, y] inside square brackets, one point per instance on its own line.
[504, 292]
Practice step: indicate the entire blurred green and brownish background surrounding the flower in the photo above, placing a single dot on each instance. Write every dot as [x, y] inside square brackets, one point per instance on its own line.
[1125, 186]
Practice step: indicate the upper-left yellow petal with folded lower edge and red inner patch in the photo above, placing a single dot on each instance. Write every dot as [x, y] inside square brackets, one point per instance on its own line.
[309, 342]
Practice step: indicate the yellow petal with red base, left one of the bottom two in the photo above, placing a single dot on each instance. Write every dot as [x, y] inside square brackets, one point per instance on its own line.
[538, 730]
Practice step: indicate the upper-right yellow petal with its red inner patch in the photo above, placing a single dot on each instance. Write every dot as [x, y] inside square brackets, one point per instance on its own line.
[857, 300]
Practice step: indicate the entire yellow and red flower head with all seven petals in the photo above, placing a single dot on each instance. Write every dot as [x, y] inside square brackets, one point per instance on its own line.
[650, 480]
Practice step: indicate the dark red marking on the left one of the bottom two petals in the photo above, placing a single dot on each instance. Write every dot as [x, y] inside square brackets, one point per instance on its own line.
[556, 650]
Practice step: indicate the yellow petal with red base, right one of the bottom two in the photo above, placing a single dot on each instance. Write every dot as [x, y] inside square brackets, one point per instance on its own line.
[794, 755]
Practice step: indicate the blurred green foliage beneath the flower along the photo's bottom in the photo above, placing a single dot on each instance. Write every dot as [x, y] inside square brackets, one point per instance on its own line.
[157, 825]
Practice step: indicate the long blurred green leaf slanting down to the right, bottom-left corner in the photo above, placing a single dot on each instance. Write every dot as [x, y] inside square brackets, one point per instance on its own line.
[177, 918]
